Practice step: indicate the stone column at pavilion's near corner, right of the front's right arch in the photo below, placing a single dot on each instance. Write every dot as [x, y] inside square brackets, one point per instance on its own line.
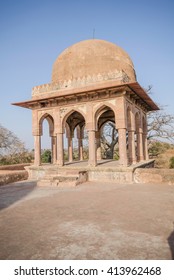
[122, 146]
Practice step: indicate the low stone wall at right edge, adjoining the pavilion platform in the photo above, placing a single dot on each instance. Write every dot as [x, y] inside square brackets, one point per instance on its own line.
[154, 175]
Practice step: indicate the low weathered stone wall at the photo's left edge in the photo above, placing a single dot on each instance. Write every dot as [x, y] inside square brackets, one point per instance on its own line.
[7, 177]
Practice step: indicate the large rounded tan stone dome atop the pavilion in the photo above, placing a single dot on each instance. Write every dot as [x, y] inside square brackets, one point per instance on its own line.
[90, 58]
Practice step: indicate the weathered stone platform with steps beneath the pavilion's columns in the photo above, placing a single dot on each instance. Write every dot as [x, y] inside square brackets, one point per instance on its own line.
[79, 171]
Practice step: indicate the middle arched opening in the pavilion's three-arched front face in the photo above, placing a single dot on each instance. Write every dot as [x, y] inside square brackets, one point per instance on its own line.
[74, 126]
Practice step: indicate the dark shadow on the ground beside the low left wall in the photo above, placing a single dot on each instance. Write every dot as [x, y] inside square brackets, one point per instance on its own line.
[11, 193]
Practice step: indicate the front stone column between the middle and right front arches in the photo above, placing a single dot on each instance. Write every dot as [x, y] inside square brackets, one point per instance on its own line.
[92, 148]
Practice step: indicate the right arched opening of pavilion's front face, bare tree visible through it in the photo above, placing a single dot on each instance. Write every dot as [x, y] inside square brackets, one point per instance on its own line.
[106, 134]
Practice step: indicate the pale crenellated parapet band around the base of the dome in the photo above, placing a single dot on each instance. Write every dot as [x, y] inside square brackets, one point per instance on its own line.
[80, 82]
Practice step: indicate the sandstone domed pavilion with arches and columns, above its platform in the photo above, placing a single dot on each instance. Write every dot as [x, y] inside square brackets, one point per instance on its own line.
[93, 81]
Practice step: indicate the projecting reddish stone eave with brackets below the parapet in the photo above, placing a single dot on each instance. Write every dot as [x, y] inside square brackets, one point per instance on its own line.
[104, 90]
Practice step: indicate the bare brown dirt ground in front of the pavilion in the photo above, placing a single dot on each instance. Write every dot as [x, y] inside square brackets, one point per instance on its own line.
[91, 221]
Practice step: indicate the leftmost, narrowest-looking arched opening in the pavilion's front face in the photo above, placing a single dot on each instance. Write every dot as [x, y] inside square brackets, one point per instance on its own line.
[48, 141]
